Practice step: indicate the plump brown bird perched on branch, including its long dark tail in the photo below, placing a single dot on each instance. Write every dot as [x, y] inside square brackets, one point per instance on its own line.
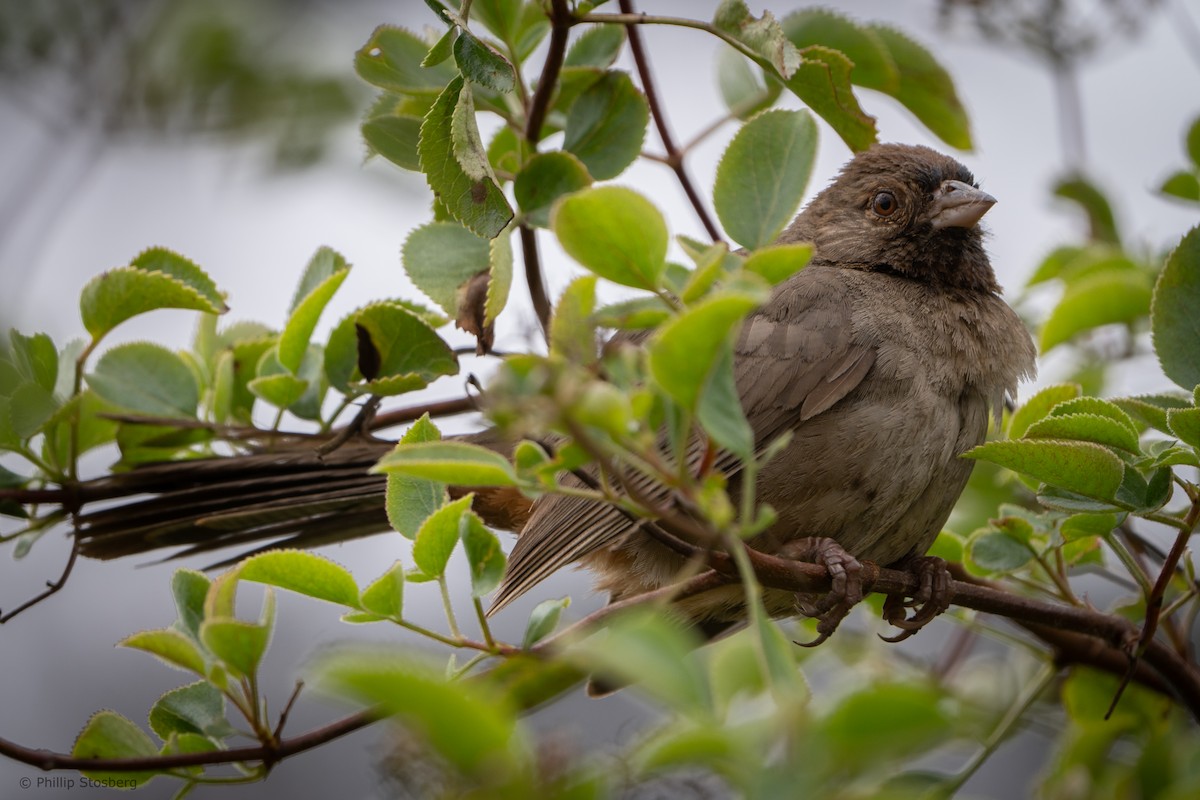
[884, 358]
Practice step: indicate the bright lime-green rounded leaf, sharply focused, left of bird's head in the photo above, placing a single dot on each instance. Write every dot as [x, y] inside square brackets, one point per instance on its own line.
[616, 233]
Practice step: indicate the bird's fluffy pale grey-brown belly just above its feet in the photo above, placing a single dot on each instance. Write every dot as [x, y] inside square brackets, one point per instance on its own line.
[879, 476]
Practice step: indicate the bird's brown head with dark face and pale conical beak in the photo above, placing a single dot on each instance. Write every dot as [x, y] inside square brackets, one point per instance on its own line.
[905, 210]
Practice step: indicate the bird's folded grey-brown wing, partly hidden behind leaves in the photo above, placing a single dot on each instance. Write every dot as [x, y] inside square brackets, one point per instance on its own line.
[794, 359]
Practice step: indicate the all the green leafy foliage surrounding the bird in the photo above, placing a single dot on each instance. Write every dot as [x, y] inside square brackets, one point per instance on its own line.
[1066, 491]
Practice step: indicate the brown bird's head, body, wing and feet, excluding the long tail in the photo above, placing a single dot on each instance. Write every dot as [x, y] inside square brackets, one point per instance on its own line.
[884, 358]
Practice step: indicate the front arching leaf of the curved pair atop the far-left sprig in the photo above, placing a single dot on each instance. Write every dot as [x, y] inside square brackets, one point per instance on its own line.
[125, 292]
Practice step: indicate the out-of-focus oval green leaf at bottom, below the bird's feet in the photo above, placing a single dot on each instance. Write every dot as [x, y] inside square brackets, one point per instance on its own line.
[884, 720]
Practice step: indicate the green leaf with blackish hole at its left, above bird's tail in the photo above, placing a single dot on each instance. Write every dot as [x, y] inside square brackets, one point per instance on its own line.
[407, 348]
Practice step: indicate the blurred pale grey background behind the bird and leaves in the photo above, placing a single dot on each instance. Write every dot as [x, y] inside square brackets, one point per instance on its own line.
[229, 133]
